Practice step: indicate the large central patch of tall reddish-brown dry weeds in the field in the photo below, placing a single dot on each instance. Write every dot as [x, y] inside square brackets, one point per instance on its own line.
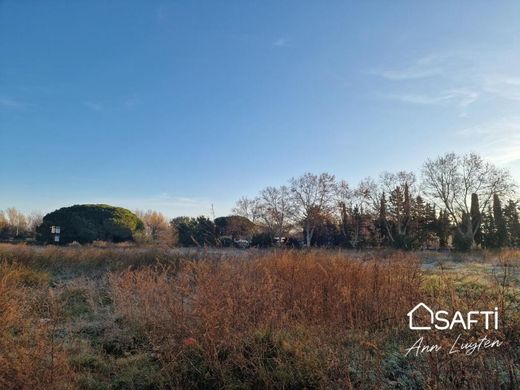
[249, 320]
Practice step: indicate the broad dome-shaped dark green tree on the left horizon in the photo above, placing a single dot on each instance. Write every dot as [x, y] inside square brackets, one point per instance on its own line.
[87, 223]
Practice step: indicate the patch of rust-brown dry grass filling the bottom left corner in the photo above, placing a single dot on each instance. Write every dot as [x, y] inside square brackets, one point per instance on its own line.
[31, 356]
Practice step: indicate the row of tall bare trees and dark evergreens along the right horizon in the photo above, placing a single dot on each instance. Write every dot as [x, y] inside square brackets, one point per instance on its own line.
[456, 202]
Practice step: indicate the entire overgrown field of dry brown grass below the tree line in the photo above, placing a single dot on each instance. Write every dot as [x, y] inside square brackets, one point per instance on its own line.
[152, 318]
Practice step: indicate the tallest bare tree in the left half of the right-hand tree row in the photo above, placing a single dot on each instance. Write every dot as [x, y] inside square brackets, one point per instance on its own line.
[312, 195]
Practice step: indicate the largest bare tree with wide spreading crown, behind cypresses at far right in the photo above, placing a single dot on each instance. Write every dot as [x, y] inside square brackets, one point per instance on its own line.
[450, 181]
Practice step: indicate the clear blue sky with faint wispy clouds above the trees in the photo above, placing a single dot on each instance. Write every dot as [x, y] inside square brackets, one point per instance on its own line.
[179, 106]
